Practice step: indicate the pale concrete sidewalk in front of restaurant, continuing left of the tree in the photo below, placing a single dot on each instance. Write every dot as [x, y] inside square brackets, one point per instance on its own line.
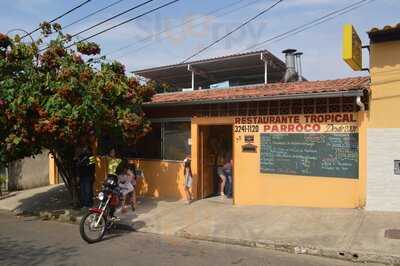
[339, 233]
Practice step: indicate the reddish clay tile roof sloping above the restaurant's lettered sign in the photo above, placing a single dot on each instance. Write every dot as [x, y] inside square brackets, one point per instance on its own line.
[264, 91]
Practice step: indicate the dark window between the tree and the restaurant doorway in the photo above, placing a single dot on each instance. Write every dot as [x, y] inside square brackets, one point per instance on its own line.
[167, 140]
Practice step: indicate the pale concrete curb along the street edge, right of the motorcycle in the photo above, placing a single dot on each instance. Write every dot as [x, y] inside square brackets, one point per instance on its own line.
[358, 257]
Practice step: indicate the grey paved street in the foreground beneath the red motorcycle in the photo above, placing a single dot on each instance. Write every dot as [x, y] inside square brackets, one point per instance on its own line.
[29, 241]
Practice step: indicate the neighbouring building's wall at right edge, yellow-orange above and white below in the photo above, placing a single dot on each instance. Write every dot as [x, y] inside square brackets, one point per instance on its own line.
[383, 188]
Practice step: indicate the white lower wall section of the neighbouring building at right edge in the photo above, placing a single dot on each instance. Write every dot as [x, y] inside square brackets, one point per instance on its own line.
[383, 186]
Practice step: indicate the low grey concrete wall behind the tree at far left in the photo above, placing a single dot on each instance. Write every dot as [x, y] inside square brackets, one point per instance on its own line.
[29, 172]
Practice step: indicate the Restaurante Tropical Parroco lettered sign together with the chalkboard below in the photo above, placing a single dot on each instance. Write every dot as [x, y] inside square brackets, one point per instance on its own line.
[322, 145]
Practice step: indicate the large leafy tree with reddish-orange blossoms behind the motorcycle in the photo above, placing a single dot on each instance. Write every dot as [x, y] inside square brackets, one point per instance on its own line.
[57, 100]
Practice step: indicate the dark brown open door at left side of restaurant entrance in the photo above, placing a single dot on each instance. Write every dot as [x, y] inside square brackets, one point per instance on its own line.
[206, 164]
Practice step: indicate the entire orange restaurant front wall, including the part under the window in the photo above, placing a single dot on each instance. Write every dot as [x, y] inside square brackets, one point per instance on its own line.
[164, 179]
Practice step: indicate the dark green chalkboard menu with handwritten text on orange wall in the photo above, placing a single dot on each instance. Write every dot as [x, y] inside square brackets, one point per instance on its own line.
[327, 155]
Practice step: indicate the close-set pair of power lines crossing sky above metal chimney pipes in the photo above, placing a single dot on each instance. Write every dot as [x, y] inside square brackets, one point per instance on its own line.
[311, 24]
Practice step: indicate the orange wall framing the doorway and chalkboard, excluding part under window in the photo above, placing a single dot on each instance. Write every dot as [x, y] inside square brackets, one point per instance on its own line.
[251, 187]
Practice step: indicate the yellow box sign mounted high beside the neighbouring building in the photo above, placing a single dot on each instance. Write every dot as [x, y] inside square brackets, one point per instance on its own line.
[352, 48]
